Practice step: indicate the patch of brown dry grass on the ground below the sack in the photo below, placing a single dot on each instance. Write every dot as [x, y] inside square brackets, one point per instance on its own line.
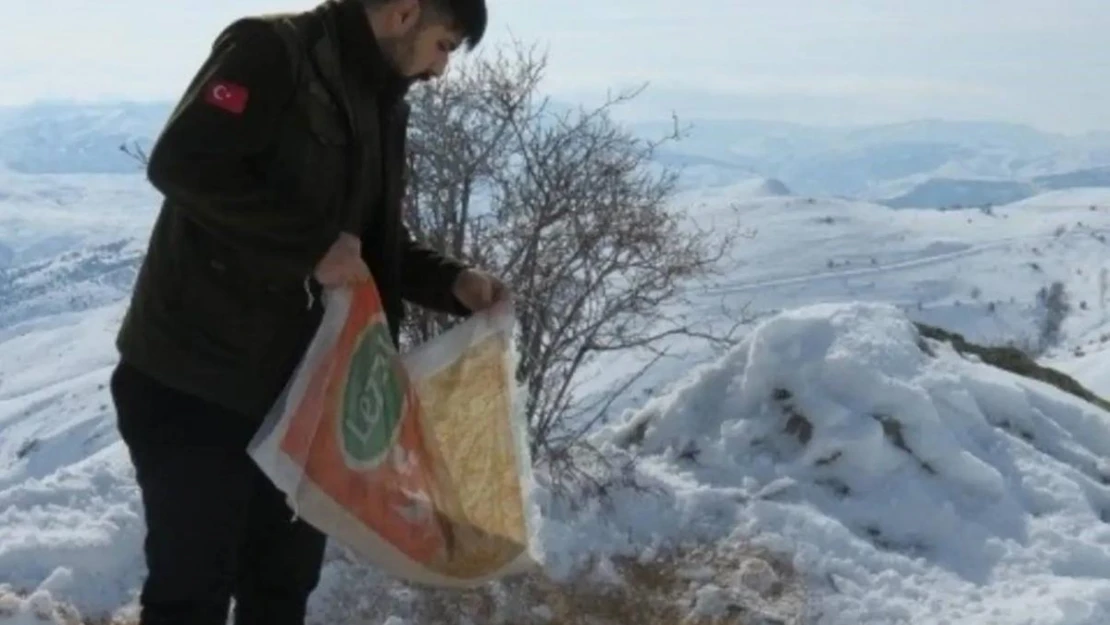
[688, 587]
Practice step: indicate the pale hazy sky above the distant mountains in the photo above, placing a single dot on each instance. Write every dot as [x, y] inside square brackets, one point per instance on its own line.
[1043, 63]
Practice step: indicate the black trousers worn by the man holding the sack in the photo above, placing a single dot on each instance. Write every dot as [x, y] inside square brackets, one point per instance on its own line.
[217, 527]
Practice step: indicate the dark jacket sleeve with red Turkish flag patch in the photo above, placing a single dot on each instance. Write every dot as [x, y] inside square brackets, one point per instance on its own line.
[213, 158]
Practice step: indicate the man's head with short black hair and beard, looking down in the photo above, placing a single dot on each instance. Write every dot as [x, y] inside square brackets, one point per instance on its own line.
[419, 36]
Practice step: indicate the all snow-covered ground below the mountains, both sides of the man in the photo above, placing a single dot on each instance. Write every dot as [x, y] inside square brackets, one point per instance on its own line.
[905, 488]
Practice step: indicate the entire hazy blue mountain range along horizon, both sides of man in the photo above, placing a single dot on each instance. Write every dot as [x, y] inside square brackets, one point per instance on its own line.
[924, 164]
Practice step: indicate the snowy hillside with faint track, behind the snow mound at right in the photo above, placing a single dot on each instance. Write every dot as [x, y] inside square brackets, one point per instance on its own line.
[973, 271]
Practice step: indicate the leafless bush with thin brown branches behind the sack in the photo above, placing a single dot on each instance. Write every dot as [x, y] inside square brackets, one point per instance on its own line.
[576, 213]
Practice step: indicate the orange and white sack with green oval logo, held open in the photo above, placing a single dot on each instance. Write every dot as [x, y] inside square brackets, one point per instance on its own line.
[418, 463]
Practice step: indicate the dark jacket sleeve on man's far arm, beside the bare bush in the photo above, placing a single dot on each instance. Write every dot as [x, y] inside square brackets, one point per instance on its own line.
[428, 277]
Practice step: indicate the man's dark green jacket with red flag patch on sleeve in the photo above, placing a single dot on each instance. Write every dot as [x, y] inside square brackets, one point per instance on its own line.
[292, 133]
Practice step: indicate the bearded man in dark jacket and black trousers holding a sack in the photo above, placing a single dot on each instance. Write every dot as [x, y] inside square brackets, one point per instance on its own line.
[282, 175]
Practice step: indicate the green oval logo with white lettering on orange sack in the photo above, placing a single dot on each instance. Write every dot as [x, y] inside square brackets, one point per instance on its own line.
[374, 401]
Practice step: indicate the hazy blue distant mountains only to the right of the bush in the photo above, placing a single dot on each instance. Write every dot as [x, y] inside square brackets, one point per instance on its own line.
[889, 162]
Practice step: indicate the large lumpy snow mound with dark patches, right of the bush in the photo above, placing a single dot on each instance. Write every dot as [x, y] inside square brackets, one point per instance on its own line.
[906, 483]
